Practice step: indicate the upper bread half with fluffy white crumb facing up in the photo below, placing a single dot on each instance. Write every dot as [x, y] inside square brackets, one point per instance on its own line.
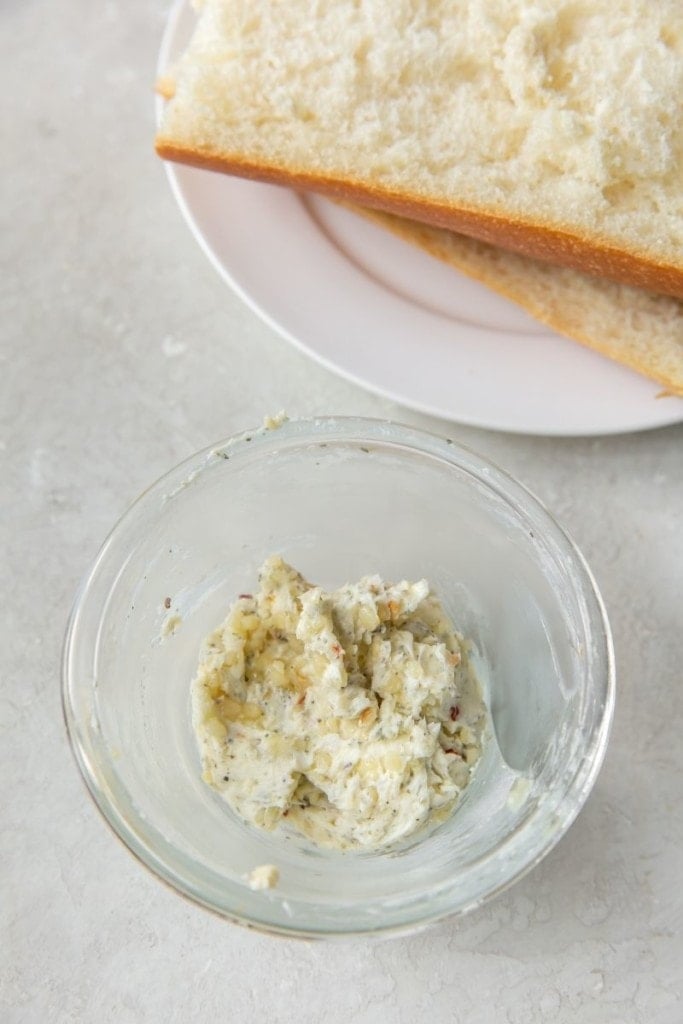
[550, 127]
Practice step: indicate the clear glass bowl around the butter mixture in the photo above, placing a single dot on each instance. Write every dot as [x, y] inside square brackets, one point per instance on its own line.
[339, 499]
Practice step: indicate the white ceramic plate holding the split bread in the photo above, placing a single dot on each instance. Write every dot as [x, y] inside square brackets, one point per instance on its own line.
[396, 321]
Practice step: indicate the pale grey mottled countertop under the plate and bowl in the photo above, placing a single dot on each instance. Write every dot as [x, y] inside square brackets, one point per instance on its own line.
[122, 353]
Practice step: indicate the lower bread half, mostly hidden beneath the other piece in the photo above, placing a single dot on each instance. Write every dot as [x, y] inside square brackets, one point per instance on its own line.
[634, 327]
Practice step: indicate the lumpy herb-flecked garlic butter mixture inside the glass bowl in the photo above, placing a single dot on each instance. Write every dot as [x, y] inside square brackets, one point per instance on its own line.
[354, 715]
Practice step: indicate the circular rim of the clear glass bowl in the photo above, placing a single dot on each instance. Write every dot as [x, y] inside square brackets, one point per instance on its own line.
[354, 431]
